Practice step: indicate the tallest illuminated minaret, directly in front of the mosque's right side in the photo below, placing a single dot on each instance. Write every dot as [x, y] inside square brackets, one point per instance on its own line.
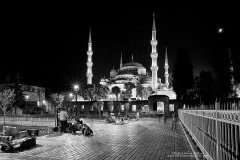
[154, 56]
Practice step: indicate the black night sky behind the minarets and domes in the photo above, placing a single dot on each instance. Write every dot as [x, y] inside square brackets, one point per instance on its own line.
[48, 44]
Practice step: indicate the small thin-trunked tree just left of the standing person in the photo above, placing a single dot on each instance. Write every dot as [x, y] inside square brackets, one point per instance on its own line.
[56, 99]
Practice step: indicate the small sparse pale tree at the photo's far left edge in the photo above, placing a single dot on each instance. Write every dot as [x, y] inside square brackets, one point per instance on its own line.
[6, 101]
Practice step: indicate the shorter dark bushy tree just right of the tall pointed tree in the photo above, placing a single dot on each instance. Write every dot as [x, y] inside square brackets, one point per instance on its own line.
[206, 87]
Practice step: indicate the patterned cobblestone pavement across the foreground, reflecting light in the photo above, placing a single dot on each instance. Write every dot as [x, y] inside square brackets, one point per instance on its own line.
[143, 139]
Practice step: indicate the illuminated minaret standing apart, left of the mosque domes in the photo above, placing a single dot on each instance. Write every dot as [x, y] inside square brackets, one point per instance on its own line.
[89, 60]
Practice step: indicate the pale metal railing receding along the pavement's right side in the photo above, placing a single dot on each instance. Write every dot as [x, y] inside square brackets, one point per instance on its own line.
[216, 132]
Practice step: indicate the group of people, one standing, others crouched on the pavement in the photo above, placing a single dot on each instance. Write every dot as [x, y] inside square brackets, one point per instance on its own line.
[72, 127]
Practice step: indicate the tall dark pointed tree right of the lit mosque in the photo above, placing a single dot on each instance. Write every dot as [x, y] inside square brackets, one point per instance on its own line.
[183, 79]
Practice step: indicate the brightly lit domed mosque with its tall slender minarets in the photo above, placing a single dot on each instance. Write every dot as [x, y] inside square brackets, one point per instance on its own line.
[135, 73]
